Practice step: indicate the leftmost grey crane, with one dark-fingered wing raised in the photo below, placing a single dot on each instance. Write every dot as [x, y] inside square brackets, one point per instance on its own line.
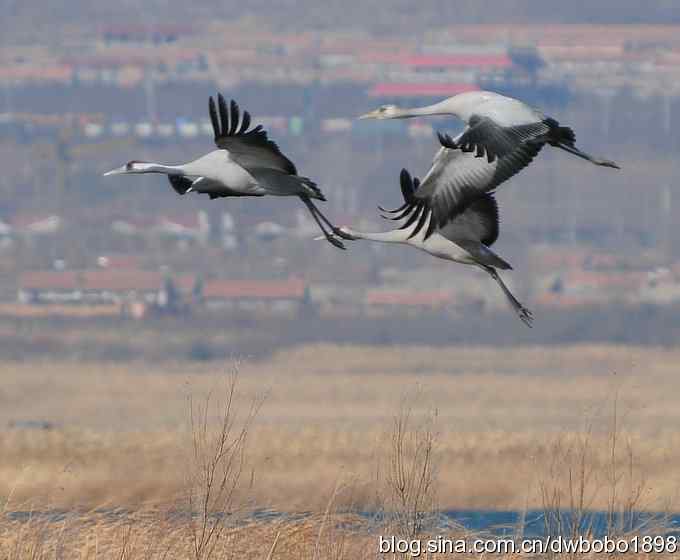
[246, 163]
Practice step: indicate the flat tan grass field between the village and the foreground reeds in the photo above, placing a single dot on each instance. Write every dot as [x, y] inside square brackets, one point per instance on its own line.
[122, 432]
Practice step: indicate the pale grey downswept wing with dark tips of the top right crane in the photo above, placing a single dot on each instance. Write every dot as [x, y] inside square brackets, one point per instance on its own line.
[457, 178]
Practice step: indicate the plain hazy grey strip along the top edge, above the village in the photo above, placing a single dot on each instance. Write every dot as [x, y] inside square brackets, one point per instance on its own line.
[388, 16]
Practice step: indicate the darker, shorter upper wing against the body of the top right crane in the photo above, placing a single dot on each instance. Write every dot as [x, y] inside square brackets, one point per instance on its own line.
[484, 136]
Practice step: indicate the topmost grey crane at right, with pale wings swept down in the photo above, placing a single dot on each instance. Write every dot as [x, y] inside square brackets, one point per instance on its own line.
[503, 134]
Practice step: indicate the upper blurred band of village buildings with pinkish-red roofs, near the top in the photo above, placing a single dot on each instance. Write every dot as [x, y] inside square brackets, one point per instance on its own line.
[551, 60]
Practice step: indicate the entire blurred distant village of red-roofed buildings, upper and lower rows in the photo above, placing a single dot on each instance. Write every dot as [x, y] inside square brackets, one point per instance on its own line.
[552, 62]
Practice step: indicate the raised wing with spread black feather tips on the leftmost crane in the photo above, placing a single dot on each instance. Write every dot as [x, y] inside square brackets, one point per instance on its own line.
[249, 148]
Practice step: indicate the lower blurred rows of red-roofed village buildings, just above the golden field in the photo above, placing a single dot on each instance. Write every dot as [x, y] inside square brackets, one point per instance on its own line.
[118, 285]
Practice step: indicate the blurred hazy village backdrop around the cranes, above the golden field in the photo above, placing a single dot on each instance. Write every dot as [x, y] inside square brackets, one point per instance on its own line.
[123, 268]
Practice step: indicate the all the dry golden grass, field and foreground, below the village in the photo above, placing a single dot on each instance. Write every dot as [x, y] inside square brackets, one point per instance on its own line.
[328, 440]
